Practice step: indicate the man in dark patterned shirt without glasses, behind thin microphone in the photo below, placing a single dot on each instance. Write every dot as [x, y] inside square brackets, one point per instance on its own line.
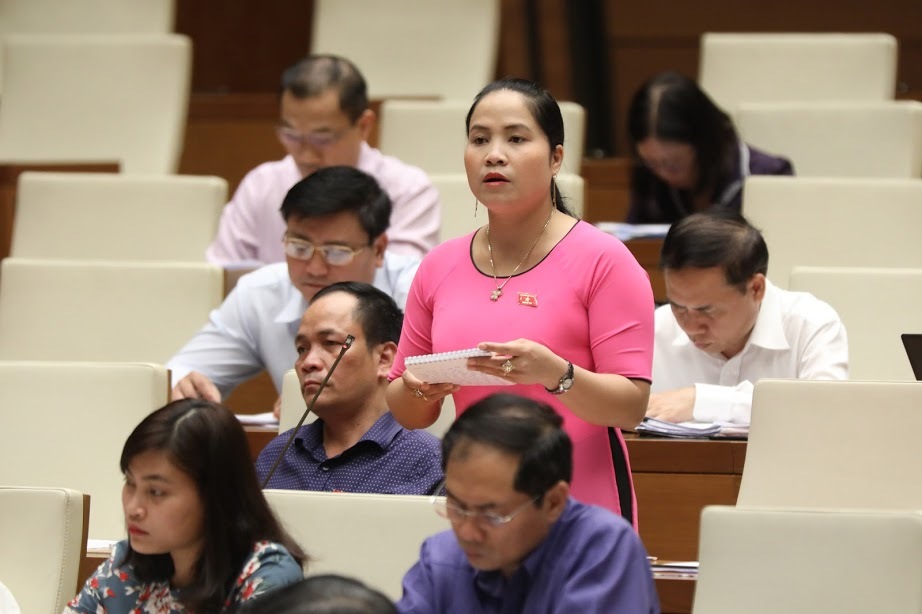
[355, 445]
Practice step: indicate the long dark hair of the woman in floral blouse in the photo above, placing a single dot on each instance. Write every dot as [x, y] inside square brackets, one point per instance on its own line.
[205, 441]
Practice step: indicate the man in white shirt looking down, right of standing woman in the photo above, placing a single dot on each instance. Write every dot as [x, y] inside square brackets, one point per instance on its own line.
[726, 326]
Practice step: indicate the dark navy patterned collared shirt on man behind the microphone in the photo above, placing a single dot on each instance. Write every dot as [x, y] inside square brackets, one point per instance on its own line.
[388, 459]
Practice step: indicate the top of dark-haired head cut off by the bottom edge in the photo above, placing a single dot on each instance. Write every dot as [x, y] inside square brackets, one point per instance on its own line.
[322, 594]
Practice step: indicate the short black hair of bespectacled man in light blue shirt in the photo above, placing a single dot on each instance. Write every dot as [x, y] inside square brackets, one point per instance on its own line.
[335, 189]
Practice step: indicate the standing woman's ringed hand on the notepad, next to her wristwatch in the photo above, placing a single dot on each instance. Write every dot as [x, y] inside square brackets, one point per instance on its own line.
[521, 361]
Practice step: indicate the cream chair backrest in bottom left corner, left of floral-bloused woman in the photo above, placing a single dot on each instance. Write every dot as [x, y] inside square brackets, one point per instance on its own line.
[44, 538]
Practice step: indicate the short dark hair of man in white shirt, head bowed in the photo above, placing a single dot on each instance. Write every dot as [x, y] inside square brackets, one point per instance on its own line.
[718, 238]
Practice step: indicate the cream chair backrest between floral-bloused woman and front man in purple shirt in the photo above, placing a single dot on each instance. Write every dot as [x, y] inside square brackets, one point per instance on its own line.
[375, 538]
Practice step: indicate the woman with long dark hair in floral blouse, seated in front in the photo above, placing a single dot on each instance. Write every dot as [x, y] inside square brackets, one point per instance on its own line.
[201, 537]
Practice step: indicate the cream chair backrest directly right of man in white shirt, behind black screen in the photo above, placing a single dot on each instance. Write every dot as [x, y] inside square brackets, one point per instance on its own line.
[876, 306]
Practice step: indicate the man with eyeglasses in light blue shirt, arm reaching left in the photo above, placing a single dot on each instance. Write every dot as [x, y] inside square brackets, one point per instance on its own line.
[335, 222]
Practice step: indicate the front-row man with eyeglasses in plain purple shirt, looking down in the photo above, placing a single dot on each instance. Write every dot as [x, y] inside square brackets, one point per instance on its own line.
[518, 542]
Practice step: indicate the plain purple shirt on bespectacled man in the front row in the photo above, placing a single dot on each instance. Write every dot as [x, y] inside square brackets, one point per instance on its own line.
[591, 562]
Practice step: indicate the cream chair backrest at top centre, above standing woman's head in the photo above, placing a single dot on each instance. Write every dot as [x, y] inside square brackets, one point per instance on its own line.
[412, 48]
